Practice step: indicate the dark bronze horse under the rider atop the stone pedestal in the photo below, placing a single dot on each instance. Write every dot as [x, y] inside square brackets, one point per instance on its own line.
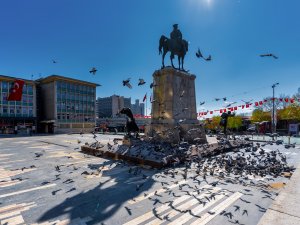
[176, 47]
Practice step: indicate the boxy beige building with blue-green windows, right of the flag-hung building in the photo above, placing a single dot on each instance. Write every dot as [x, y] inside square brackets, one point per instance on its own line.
[66, 104]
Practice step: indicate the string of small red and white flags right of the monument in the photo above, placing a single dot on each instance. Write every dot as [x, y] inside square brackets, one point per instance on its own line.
[246, 106]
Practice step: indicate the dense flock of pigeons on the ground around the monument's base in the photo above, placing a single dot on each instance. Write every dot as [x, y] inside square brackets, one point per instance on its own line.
[232, 157]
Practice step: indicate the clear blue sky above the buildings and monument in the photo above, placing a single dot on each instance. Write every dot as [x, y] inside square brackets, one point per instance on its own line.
[120, 38]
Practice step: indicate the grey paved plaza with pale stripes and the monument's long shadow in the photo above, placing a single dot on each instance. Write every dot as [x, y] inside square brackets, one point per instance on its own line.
[47, 180]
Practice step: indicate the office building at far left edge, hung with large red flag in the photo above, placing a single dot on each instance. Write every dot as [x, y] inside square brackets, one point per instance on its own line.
[17, 116]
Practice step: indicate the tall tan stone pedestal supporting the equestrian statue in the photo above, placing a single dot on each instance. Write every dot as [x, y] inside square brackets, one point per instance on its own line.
[174, 115]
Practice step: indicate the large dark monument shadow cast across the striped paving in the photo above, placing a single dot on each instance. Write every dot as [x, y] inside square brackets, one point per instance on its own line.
[102, 202]
